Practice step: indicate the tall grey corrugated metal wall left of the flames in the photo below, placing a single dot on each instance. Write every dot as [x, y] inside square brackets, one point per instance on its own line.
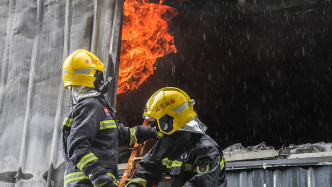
[35, 38]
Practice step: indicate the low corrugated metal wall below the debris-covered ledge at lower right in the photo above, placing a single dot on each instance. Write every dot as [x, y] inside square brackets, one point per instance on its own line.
[317, 176]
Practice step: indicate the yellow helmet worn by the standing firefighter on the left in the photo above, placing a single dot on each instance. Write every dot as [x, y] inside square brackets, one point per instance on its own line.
[79, 69]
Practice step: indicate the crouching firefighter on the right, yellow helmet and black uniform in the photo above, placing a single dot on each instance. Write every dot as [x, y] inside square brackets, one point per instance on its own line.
[185, 152]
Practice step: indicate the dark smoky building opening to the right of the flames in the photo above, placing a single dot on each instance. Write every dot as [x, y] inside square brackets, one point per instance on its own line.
[254, 78]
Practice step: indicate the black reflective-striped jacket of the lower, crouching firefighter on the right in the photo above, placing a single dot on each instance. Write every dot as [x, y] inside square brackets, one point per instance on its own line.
[190, 159]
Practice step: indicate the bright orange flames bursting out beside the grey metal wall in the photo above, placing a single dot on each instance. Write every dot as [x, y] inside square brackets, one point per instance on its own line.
[145, 38]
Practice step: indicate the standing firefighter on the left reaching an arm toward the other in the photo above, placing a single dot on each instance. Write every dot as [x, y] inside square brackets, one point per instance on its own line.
[91, 135]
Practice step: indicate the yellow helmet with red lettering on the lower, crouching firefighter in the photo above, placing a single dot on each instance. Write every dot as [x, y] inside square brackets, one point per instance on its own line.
[173, 110]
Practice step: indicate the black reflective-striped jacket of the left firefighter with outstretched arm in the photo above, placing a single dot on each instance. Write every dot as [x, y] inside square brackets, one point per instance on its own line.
[91, 138]
